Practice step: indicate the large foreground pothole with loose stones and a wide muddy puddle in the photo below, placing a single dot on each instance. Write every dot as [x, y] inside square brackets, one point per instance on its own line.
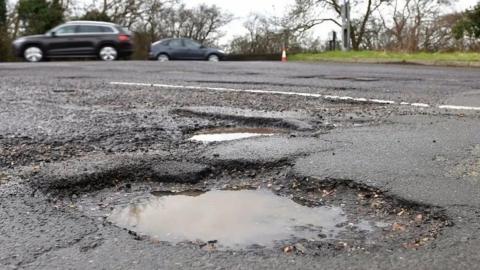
[245, 210]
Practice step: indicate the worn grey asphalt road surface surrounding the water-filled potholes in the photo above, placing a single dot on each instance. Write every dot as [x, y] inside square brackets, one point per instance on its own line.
[72, 129]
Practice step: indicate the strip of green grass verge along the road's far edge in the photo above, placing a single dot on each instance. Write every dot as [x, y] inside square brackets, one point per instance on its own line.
[378, 56]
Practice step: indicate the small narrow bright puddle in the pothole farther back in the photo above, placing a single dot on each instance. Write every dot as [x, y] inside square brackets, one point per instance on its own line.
[230, 134]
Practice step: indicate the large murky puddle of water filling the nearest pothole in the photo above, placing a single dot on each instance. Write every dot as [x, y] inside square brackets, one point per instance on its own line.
[236, 219]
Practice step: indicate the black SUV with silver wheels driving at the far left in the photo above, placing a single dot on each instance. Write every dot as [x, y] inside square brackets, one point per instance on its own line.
[107, 41]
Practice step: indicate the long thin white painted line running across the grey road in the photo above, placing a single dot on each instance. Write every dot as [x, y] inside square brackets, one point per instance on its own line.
[327, 97]
